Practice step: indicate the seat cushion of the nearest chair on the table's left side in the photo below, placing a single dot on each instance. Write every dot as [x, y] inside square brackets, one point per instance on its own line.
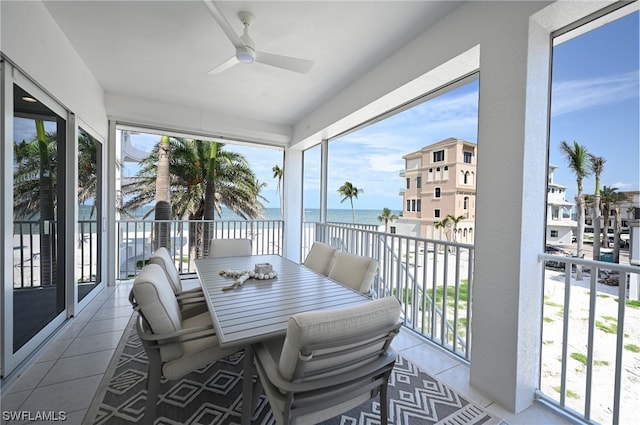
[197, 353]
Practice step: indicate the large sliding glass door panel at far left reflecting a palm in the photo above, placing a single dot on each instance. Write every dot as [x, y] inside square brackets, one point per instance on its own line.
[38, 198]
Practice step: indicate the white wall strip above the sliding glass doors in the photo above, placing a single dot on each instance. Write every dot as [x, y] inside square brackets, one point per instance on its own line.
[34, 42]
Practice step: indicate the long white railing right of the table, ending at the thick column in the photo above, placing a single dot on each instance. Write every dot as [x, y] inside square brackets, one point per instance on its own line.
[433, 279]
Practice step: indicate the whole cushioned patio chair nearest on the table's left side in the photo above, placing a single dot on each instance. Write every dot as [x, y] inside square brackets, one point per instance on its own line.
[175, 346]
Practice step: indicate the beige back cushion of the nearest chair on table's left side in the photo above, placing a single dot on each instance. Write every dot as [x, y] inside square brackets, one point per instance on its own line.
[159, 306]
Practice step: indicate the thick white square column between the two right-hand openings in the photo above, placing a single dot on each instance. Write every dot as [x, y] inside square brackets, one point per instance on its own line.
[510, 212]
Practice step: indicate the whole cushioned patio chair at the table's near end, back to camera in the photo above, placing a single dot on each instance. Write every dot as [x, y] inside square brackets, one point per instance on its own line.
[329, 363]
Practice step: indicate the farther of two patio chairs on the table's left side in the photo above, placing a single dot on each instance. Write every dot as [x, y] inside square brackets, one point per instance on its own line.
[191, 301]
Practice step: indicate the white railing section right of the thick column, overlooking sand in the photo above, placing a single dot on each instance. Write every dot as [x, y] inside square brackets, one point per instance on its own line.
[591, 340]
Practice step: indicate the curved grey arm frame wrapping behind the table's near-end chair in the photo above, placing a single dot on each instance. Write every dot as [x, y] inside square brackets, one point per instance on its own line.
[270, 368]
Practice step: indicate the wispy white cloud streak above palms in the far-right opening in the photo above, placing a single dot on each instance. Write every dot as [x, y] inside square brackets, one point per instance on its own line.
[575, 95]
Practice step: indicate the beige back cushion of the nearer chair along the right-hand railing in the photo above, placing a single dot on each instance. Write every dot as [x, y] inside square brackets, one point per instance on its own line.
[354, 271]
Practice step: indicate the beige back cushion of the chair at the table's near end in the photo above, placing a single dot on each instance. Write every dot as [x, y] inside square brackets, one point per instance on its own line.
[324, 326]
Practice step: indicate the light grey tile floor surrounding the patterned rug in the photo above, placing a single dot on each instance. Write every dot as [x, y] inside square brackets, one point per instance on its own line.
[66, 374]
